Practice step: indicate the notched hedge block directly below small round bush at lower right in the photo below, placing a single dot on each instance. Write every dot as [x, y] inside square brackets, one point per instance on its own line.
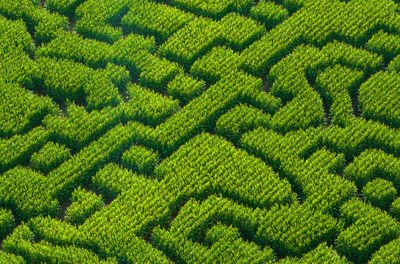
[371, 228]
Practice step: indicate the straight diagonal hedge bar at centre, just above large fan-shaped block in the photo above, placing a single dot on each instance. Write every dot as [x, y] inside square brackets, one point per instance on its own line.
[202, 112]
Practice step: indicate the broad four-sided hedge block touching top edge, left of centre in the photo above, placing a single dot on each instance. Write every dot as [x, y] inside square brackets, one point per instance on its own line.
[150, 18]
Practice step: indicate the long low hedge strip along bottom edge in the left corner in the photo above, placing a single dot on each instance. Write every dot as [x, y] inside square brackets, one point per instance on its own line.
[22, 242]
